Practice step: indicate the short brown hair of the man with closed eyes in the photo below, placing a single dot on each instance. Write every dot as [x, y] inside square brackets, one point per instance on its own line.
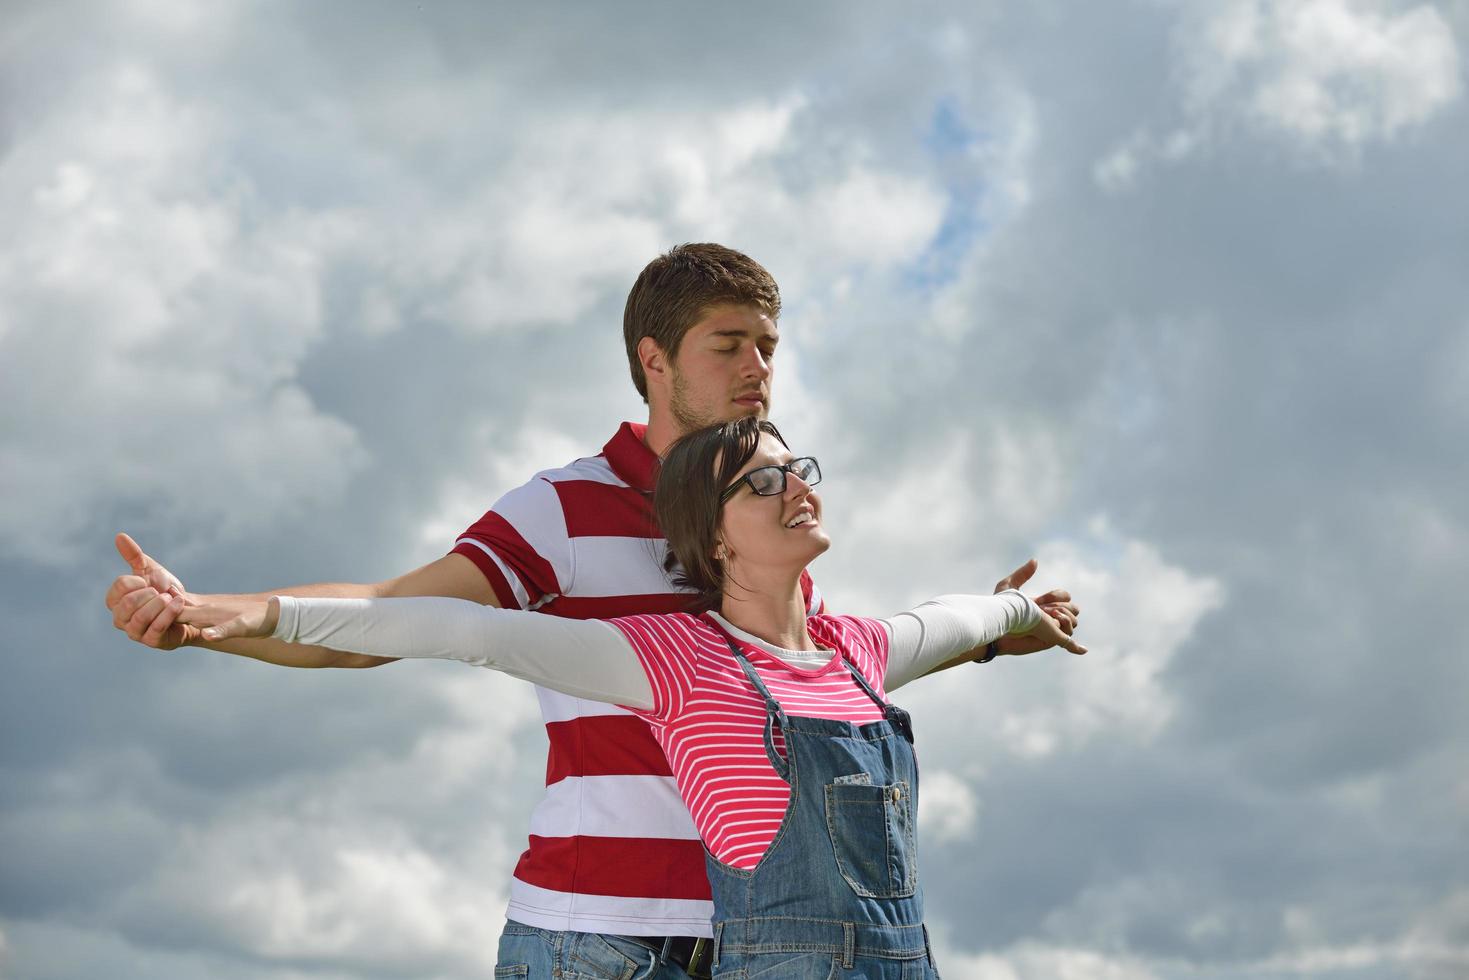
[679, 289]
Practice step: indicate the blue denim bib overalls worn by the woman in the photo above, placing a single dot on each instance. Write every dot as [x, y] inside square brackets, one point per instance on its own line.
[837, 896]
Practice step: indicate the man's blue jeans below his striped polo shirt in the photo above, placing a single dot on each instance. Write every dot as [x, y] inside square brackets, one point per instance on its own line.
[541, 954]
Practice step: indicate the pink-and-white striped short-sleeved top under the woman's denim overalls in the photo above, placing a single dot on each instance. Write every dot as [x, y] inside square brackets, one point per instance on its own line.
[712, 722]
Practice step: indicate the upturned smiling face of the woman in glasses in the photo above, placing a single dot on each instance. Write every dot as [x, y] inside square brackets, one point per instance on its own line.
[781, 531]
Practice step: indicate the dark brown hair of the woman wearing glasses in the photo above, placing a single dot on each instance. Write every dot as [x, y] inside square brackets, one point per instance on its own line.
[687, 502]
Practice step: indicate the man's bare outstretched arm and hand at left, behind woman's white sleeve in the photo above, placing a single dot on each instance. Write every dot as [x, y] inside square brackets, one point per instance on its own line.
[146, 606]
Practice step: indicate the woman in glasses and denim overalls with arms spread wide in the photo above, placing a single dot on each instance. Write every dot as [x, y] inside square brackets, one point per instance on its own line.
[800, 777]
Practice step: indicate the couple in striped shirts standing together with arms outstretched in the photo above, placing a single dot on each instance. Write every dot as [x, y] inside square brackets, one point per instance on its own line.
[729, 790]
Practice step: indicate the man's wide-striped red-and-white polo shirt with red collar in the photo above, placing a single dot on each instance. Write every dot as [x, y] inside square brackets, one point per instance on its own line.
[612, 846]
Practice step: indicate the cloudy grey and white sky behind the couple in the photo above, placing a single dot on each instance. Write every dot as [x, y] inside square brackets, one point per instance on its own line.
[1169, 295]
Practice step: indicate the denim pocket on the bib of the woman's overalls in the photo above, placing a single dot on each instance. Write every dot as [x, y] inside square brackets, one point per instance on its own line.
[872, 831]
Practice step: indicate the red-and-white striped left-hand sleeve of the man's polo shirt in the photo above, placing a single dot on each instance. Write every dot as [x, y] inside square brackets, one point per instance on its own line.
[522, 546]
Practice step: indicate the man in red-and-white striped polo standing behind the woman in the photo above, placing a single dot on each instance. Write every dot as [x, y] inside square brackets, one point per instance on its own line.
[613, 876]
